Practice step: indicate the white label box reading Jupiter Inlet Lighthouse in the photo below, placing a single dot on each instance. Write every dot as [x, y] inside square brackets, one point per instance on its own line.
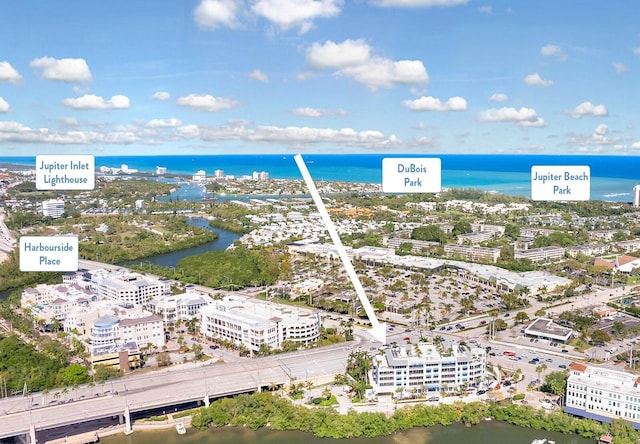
[65, 172]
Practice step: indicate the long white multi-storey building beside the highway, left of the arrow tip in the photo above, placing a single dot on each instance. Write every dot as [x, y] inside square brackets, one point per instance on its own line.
[252, 323]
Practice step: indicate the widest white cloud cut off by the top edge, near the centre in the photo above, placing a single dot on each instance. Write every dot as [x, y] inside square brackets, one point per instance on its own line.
[287, 14]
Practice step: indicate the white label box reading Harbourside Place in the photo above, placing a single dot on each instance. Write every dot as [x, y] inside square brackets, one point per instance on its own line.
[49, 253]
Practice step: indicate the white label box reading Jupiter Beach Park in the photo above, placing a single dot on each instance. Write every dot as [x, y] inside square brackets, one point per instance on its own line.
[560, 183]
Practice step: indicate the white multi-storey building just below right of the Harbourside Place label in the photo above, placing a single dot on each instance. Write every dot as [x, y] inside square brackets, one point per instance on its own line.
[126, 286]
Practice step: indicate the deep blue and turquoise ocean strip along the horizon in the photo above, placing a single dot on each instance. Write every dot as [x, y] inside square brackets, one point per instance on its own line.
[612, 177]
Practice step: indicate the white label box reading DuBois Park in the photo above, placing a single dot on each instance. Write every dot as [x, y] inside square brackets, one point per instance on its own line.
[411, 175]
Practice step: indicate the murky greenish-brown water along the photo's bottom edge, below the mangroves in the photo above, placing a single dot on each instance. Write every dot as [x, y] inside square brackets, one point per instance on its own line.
[489, 432]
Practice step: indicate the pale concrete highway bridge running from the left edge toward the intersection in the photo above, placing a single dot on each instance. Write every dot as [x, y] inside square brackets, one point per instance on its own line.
[181, 383]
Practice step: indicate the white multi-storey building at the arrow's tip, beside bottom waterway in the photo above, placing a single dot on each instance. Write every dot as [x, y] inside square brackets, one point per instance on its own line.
[423, 368]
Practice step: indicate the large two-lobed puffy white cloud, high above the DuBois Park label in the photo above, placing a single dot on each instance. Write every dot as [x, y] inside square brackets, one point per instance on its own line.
[352, 58]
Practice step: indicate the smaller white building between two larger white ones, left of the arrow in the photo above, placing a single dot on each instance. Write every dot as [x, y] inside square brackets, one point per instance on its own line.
[180, 307]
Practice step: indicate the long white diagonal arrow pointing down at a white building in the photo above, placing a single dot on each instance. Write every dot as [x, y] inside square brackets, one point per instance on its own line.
[378, 331]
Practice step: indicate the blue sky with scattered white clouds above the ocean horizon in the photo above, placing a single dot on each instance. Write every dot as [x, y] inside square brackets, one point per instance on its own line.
[319, 76]
